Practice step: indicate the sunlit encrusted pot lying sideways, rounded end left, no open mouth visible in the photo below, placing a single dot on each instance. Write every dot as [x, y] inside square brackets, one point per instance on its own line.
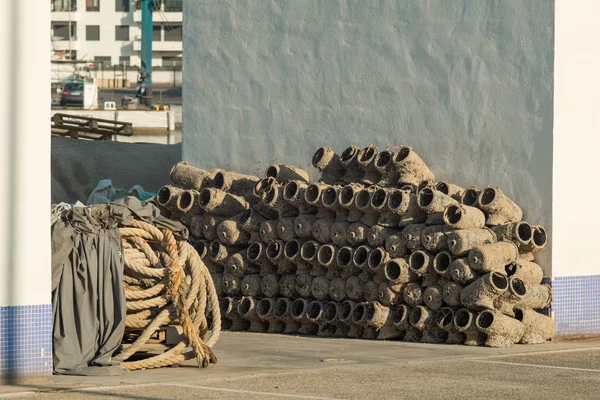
[493, 256]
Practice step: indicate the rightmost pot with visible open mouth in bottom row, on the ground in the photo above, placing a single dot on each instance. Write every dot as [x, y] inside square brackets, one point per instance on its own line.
[501, 330]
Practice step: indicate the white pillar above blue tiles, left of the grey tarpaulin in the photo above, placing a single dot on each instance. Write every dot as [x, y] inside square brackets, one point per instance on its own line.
[25, 154]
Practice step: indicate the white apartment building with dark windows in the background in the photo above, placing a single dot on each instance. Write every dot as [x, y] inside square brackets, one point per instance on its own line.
[107, 33]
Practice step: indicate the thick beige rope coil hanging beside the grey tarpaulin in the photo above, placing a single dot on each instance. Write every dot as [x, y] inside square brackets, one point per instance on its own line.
[166, 283]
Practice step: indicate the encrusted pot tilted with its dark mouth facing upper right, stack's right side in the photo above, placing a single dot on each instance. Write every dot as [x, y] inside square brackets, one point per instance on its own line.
[482, 293]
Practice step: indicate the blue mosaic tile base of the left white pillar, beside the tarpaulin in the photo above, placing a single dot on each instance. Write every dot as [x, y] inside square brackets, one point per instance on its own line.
[26, 340]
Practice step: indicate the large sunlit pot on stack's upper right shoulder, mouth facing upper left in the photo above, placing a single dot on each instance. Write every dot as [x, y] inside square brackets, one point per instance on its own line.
[498, 207]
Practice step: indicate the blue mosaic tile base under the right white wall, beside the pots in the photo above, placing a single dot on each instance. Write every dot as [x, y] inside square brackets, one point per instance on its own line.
[576, 305]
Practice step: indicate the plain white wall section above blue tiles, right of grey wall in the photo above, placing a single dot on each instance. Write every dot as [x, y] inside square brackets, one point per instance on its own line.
[576, 138]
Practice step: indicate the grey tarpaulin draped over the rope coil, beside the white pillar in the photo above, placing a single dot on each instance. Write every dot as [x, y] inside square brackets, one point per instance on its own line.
[88, 300]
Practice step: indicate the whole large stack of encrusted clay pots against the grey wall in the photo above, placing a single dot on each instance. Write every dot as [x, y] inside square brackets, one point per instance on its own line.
[377, 248]
